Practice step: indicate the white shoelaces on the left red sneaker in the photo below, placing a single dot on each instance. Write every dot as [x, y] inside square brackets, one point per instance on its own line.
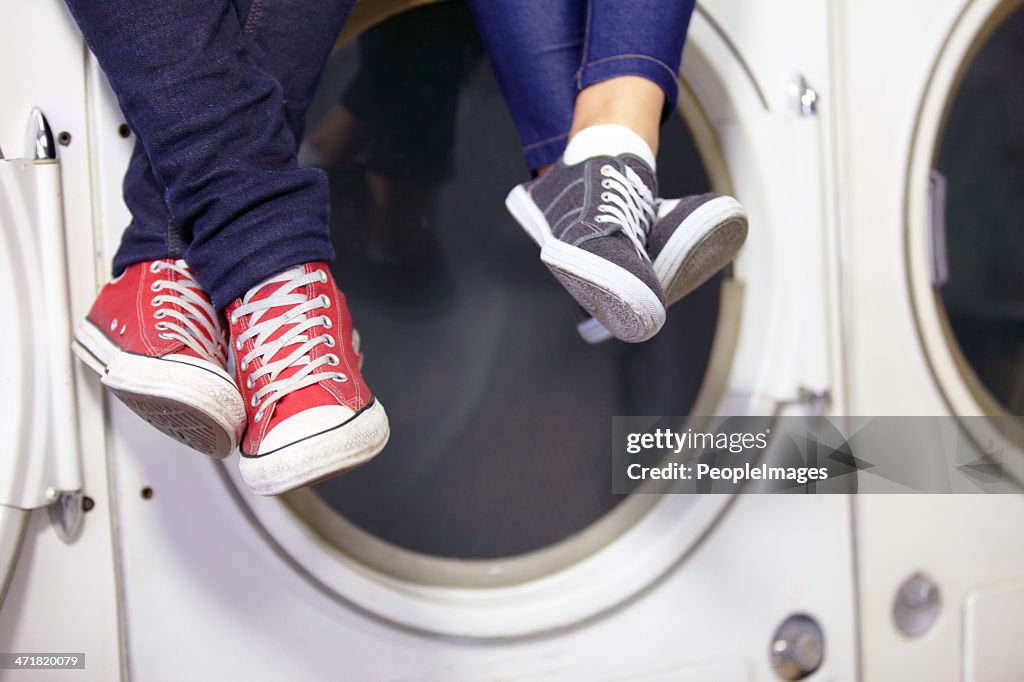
[190, 311]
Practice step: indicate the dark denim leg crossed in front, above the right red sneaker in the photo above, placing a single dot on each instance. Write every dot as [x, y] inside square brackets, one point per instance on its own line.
[211, 120]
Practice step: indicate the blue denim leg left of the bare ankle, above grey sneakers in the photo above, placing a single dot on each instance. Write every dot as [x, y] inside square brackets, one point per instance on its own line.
[536, 50]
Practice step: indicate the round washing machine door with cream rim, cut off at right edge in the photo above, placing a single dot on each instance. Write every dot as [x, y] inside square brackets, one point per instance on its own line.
[966, 244]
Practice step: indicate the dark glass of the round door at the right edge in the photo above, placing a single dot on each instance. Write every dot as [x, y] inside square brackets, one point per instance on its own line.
[982, 160]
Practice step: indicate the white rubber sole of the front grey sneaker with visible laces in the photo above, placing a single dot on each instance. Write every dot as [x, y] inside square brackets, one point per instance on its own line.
[616, 297]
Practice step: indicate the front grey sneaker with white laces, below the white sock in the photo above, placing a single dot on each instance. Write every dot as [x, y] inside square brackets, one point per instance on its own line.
[591, 221]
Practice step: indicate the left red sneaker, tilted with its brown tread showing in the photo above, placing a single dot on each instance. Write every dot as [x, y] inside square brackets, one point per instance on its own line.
[157, 343]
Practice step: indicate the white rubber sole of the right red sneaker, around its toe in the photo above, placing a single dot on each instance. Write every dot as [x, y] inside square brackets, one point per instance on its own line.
[319, 457]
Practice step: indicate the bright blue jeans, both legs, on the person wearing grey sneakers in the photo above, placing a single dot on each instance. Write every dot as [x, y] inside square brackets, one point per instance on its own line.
[544, 53]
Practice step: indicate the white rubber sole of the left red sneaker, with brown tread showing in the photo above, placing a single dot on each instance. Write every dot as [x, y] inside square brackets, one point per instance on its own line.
[192, 402]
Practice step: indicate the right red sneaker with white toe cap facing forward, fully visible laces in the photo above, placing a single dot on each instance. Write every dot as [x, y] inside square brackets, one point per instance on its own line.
[311, 414]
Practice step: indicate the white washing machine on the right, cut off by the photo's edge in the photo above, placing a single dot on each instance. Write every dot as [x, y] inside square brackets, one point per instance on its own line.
[930, 212]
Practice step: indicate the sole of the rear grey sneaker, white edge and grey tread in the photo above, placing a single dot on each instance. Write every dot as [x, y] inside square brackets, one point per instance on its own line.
[706, 242]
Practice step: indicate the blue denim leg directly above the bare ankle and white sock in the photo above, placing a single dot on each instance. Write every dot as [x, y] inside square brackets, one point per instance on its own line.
[636, 38]
